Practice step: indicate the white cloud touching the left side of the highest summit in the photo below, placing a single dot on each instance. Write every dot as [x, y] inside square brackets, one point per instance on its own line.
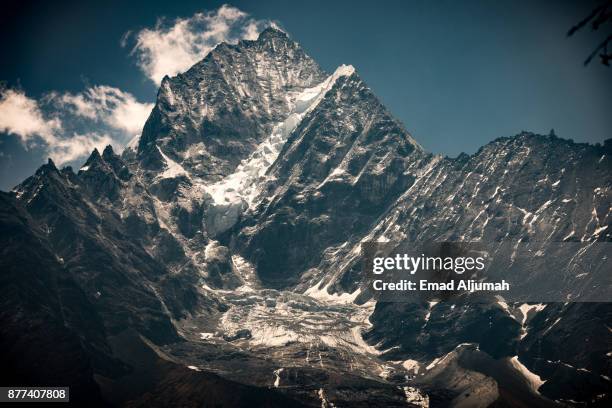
[171, 49]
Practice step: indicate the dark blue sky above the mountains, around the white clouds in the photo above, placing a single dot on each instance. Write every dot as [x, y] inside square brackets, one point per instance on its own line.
[458, 74]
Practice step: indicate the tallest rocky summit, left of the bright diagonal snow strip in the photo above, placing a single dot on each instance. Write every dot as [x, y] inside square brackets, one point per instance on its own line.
[211, 117]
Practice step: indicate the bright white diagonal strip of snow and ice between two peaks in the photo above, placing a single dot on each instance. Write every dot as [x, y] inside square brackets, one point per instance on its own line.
[242, 185]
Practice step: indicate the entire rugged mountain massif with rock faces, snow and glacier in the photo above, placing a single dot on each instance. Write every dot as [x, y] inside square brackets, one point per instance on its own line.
[220, 253]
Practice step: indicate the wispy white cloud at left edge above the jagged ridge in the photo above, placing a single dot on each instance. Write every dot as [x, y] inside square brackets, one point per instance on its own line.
[69, 126]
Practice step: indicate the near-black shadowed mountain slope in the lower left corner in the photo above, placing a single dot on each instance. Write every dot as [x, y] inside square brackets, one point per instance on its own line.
[50, 331]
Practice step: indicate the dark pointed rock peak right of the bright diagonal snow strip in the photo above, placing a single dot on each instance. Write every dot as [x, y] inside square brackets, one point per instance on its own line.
[336, 174]
